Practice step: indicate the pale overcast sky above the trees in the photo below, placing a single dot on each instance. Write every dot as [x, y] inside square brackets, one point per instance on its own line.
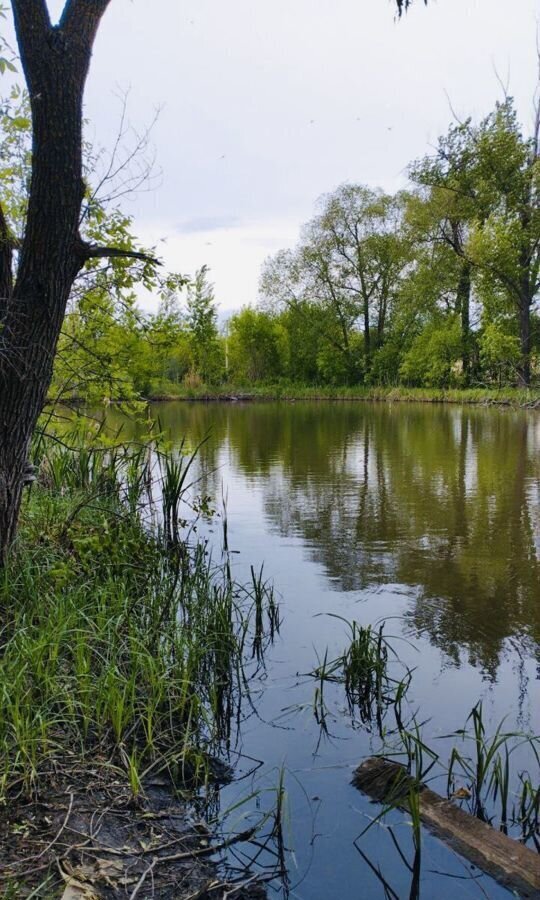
[266, 104]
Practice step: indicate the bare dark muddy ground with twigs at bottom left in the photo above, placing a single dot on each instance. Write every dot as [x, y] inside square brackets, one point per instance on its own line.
[87, 837]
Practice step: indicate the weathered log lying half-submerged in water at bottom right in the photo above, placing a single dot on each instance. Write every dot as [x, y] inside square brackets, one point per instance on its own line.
[511, 863]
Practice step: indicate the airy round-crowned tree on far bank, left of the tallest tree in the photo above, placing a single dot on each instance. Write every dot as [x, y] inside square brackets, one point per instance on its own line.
[349, 263]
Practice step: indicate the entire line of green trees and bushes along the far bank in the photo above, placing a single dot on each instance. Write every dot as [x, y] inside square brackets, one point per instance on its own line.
[434, 286]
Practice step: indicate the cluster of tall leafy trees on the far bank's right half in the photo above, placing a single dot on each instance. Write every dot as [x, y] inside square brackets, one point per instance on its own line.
[436, 285]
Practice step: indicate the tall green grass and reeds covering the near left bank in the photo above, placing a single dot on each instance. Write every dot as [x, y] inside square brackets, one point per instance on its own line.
[119, 642]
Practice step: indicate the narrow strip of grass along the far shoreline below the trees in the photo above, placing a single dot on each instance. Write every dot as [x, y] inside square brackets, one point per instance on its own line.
[507, 396]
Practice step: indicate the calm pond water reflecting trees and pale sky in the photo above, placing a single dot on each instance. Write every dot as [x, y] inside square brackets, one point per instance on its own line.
[427, 516]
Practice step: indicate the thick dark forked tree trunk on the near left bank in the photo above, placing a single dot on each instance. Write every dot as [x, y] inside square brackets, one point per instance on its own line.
[55, 61]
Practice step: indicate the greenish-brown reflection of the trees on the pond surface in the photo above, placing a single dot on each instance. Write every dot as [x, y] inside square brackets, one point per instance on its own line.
[442, 500]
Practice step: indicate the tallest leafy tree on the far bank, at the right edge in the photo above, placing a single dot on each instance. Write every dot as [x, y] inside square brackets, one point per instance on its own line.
[485, 181]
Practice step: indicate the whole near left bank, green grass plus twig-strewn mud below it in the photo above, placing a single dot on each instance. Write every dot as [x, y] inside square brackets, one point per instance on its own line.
[125, 652]
